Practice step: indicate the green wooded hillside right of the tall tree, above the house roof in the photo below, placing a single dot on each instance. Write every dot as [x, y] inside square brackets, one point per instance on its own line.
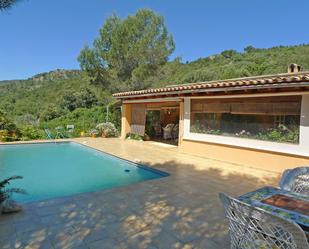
[232, 64]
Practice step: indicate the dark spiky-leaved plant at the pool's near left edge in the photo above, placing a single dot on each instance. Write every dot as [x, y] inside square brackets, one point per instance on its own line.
[7, 205]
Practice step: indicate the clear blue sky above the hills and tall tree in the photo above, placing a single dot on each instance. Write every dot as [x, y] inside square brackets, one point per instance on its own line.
[38, 36]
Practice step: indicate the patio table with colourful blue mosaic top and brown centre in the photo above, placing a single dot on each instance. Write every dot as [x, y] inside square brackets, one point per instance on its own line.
[288, 205]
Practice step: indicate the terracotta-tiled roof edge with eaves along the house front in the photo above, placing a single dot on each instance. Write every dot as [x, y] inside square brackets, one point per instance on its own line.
[252, 85]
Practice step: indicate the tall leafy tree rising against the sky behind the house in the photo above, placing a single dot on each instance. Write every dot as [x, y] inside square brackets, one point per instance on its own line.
[128, 51]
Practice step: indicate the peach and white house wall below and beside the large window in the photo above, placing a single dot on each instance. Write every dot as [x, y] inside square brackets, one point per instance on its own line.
[254, 153]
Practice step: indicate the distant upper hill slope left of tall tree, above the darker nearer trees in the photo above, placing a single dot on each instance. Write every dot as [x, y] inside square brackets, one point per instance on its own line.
[43, 92]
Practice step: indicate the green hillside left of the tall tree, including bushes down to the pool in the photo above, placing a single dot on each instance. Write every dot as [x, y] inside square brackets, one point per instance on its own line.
[53, 99]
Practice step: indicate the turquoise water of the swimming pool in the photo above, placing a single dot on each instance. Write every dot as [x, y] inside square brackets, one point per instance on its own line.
[62, 169]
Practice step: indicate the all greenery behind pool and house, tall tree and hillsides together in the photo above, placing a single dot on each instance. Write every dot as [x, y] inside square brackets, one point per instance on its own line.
[129, 54]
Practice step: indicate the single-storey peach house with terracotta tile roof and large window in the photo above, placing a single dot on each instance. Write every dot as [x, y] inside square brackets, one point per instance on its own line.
[258, 121]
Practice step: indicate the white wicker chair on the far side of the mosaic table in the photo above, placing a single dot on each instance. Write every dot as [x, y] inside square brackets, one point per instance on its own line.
[296, 180]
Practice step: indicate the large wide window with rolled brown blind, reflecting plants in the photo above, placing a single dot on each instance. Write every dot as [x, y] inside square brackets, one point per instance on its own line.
[272, 118]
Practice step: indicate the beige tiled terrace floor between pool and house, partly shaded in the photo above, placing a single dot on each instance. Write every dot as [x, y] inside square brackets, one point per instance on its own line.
[179, 211]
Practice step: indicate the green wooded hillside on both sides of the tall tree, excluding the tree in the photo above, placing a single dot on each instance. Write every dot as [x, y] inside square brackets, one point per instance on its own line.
[67, 96]
